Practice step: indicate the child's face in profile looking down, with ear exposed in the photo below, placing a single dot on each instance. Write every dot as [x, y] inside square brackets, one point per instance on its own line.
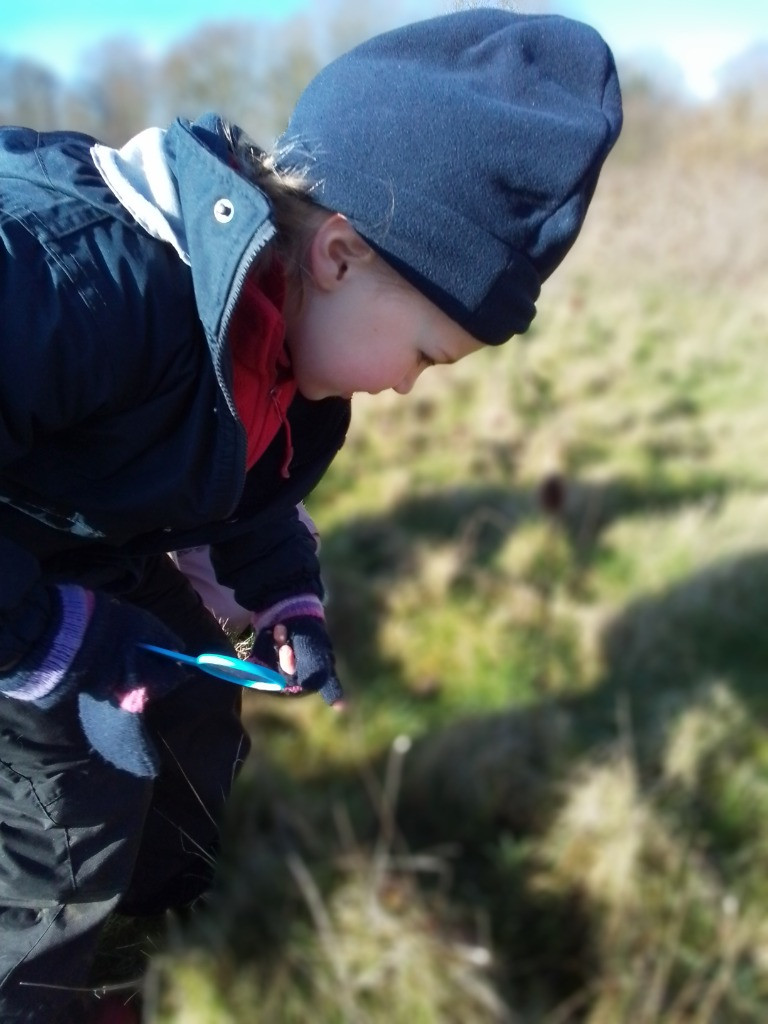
[362, 327]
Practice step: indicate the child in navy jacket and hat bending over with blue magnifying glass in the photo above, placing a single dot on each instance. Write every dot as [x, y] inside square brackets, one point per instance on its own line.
[185, 323]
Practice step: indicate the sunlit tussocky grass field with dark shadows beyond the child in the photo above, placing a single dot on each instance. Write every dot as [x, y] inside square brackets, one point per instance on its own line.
[548, 574]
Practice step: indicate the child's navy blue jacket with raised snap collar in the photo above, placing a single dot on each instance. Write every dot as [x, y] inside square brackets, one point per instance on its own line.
[118, 431]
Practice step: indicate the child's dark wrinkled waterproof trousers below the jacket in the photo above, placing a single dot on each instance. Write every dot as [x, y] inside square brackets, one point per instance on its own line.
[80, 839]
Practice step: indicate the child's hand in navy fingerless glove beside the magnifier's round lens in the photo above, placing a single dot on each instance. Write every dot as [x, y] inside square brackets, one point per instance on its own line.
[301, 648]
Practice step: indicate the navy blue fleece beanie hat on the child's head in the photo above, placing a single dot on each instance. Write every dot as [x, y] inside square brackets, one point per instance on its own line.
[465, 150]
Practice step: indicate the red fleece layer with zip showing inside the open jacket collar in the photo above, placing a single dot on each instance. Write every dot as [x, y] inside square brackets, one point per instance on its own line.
[263, 383]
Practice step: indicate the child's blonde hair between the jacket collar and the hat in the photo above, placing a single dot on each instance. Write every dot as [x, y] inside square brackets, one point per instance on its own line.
[295, 215]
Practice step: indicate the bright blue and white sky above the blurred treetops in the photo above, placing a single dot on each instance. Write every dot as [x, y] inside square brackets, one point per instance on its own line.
[700, 35]
